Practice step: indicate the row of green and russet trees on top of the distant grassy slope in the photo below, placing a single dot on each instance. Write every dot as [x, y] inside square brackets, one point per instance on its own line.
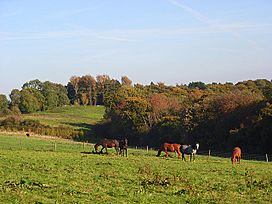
[41, 96]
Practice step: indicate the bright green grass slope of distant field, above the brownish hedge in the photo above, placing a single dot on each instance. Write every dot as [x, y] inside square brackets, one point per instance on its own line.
[79, 117]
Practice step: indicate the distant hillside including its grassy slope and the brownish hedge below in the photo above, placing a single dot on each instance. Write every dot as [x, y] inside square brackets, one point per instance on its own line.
[67, 122]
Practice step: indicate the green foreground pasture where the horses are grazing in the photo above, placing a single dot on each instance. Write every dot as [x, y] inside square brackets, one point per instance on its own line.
[33, 171]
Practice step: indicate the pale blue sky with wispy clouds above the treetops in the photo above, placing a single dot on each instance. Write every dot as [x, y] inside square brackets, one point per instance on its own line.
[170, 41]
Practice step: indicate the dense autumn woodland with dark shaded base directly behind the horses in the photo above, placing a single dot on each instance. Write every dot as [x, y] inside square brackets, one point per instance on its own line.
[218, 116]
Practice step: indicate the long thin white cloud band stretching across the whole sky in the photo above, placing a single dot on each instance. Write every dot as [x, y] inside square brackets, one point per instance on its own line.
[132, 35]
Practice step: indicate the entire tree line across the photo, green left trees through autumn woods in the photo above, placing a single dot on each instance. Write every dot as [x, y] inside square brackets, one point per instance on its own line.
[218, 116]
